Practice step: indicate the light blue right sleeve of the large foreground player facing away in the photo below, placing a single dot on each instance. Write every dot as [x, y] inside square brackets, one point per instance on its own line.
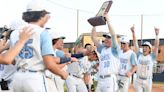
[46, 44]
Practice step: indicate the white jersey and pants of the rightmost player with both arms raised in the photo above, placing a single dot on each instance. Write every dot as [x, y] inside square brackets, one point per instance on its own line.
[144, 72]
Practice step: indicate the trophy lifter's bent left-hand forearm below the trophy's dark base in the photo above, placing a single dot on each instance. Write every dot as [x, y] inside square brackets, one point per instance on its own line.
[94, 37]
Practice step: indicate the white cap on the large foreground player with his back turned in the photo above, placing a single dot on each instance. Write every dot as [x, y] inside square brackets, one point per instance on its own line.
[37, 5]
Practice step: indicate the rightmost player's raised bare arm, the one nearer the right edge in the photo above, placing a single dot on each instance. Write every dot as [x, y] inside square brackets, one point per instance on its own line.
[156, 43]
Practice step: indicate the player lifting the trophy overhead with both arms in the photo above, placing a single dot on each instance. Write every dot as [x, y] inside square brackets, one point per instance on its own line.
[109, 62]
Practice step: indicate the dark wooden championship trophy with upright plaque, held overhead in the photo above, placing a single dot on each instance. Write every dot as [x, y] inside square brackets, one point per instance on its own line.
[99, 19]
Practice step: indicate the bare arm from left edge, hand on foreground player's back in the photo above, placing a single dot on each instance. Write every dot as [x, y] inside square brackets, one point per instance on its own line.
[8, 56]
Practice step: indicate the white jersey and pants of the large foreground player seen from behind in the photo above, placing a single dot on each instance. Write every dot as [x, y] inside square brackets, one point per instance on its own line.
[29, 62]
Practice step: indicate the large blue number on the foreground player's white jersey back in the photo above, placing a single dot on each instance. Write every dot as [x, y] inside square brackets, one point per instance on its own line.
[27, 52]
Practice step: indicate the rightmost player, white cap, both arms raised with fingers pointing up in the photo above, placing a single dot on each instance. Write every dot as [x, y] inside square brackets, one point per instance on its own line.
[145, 63]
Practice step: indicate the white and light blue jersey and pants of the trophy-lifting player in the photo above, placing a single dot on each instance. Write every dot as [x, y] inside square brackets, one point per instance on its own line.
[108, 67]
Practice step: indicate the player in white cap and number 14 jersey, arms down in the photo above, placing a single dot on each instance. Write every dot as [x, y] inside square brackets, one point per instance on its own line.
[127, 65]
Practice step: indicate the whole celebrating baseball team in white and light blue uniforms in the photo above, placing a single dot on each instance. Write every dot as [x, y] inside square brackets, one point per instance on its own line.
[32, 59]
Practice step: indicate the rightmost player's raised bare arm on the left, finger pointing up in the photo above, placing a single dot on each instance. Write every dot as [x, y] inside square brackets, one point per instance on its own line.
[136, 47]
